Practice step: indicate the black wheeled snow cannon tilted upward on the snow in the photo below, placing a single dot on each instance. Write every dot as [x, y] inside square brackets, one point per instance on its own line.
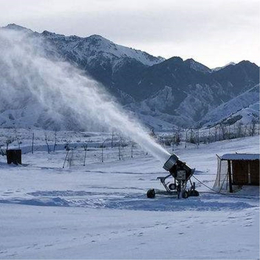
[181, 174]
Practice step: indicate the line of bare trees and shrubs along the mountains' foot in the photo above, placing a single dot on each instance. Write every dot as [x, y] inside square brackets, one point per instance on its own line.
[190, 135]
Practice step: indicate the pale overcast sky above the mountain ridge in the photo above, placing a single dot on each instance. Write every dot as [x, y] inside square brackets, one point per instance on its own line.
[213, 32]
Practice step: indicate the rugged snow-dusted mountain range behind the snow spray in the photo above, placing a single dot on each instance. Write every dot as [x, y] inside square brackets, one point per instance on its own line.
[162, 93]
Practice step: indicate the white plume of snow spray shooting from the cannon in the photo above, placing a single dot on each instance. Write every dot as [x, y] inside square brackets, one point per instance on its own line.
[28, 75]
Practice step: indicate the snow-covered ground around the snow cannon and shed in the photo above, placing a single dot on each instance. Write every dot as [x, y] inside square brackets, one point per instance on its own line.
[100, 210]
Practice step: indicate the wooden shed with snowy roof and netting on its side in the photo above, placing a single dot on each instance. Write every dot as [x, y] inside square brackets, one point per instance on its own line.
[235, 170]
